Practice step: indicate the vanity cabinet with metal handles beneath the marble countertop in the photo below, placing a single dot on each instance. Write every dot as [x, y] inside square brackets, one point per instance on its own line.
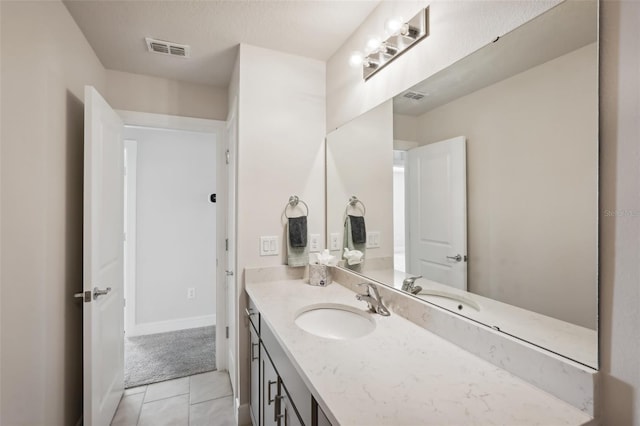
[279, 397]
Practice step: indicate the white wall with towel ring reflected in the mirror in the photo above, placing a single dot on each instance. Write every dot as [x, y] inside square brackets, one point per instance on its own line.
[359, 162]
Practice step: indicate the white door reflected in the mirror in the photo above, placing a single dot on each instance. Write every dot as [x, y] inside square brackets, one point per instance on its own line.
[436, 212]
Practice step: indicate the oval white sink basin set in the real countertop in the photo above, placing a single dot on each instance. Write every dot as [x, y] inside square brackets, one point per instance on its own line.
[334, 321]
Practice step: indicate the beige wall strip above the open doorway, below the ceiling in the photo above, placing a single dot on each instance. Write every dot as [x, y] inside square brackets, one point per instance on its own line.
[136, 92]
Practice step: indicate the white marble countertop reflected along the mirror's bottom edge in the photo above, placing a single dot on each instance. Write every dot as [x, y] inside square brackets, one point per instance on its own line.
[570, 340]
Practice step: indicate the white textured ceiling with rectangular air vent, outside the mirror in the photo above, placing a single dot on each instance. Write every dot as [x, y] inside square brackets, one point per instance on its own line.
[213, 28]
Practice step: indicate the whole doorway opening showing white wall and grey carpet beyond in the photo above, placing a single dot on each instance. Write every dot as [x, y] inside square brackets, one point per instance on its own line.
[171, 223]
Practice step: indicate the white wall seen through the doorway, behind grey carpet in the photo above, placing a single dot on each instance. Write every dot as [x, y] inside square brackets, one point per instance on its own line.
[176, 229]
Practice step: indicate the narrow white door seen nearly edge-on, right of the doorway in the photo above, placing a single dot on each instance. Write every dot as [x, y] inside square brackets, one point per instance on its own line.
[232, 298]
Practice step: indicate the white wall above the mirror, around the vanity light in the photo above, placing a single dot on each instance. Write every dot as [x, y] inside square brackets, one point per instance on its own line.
[456, 29]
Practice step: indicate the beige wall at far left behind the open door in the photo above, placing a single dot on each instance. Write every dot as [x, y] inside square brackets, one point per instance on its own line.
[46, 62]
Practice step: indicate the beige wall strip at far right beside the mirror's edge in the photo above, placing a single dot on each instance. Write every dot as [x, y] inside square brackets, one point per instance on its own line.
[619, 189]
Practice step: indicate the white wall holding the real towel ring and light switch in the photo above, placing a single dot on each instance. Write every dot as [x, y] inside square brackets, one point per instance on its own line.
[280, 153]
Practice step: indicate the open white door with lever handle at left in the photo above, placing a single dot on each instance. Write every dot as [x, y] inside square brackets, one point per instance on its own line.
[103, 326]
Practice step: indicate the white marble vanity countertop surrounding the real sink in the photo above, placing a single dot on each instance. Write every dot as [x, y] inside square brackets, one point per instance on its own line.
[400, 374]
